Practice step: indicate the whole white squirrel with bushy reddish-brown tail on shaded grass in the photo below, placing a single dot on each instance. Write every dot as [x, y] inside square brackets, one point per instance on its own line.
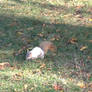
[41, 51]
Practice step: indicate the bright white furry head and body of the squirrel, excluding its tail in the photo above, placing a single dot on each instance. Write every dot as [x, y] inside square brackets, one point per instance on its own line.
[35, 53]
